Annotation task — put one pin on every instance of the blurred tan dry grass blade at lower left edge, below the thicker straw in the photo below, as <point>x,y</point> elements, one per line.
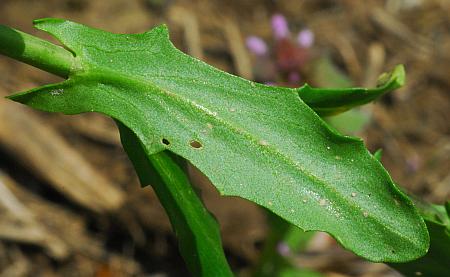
<point>36,221</point>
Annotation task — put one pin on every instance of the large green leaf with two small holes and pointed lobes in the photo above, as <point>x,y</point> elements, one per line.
<point>258,142</point>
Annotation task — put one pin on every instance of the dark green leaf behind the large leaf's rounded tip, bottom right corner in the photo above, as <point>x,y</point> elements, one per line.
<point>436,262</point>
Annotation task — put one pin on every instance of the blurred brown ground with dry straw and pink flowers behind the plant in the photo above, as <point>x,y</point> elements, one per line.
<point>70,202</point>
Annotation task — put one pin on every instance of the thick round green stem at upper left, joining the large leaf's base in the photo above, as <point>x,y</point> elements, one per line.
<point>35,51</point>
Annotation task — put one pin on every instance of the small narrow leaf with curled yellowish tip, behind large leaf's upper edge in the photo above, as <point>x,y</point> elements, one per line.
<point>333,101</point>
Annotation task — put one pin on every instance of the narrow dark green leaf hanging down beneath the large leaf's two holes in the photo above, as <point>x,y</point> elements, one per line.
<point>197,231</point>
